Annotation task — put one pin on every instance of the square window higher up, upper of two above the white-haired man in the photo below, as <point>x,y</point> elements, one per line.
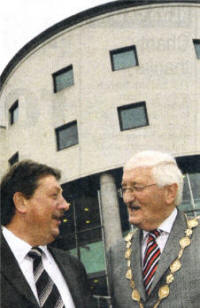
<point>123,58</point>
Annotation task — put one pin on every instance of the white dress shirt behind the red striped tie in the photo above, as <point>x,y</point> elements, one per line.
<point>165,227</point>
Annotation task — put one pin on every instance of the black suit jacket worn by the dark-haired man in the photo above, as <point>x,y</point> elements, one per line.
<point>16,293</point>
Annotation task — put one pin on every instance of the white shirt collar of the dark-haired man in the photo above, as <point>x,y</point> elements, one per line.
<point>19,247</point>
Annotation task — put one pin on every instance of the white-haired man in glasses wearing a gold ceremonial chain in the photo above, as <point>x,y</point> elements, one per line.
<point>158,263</point>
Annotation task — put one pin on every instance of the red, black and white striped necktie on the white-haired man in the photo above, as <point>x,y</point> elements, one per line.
<point>151,259</point>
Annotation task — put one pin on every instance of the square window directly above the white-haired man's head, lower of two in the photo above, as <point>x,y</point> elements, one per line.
<point>133,116</point>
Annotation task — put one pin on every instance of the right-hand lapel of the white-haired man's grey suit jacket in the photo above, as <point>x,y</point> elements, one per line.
<point>171,249</point>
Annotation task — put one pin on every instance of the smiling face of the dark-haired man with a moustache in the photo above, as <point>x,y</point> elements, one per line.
<point>43,212</point>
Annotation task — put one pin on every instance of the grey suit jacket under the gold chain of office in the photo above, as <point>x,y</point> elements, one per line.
<point>184,290</point>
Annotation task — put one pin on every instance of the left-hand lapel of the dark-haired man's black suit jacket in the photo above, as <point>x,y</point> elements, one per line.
<point>12,272</point>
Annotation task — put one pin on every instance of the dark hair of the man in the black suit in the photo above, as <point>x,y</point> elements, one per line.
<point>21,177</point>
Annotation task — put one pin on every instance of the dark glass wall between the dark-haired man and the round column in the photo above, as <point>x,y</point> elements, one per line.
<point>81,233</point>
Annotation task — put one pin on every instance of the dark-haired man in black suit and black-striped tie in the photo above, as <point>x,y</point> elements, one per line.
<point>33,274</point>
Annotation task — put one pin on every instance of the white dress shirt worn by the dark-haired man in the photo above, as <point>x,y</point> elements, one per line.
<point>20,250</point>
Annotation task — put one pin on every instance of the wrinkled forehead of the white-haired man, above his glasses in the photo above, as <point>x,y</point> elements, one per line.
<point>137,175</point>
